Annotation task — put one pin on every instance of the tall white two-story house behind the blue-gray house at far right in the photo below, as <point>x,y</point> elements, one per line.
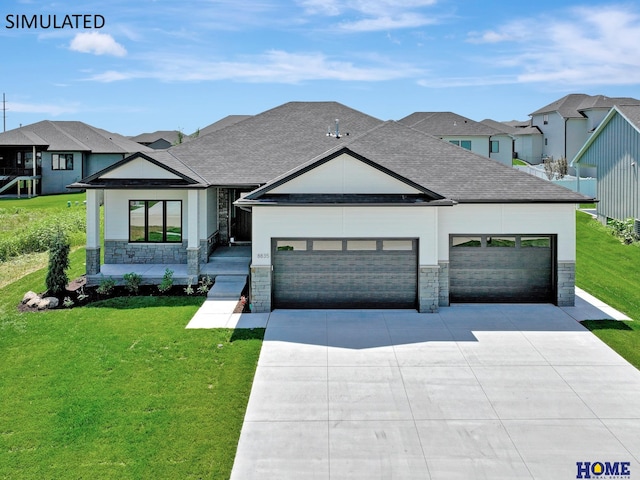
<point>567,123</point>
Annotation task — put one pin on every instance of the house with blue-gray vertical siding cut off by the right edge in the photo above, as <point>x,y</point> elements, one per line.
<point>614,151</point>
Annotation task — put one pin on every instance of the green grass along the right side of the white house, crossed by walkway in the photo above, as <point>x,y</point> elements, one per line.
<point>608,270</point>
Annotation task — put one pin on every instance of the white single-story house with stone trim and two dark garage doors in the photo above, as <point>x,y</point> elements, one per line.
<point>370,214</point>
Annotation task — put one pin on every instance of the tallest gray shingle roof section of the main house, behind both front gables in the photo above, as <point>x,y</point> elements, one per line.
<point>255,150</point>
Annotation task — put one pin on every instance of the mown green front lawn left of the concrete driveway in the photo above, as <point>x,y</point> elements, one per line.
<point>119,389</point>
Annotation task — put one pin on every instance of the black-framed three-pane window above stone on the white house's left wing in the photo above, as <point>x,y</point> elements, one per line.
<point>157,221</point>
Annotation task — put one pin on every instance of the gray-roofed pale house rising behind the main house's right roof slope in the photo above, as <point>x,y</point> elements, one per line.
<point>464,132</point>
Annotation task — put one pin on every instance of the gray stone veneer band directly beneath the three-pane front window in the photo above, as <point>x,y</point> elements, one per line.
<point>121,251</point>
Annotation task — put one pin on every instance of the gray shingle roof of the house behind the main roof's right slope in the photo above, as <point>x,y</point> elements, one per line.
<point>447,124</point>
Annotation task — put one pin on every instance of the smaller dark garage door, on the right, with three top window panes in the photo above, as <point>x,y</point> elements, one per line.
<point>505,268</point>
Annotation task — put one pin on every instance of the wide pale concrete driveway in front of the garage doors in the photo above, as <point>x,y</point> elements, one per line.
<point>476,391</point>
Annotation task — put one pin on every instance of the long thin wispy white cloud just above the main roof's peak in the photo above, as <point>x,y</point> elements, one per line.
<point>275,66</point>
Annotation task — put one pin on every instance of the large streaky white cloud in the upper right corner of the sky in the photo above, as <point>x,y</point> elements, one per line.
<point>573,48</point>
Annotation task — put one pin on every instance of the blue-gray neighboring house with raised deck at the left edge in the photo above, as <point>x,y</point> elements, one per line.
<point>64,152</point>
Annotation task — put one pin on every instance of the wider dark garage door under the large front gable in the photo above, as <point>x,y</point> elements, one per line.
<point>345,273</point>
